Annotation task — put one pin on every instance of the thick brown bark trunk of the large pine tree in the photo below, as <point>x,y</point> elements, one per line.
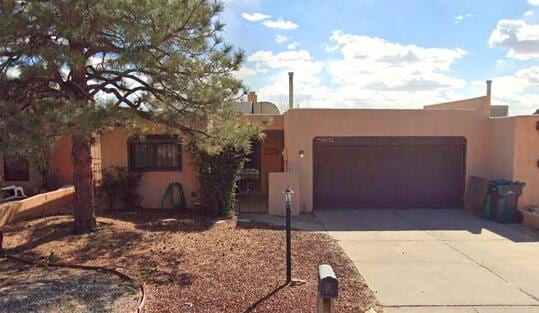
<point>83,181</point>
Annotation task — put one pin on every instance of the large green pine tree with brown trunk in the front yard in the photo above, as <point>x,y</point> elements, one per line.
<point>91,60</point>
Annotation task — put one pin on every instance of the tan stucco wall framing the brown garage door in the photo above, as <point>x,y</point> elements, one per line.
<point>303,125</point>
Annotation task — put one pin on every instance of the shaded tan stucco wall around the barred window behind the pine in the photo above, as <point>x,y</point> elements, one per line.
<point>114,150</point>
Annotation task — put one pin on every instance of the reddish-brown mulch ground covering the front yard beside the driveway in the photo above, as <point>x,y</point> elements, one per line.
<point>202,267</point>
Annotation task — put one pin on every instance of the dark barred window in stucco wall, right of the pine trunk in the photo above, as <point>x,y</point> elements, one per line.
<point>155,153</point>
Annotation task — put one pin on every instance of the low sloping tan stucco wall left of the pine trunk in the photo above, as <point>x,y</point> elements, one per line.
<point>45,204</point>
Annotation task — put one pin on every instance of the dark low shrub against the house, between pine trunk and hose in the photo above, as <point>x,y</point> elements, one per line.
<point>120,188</point>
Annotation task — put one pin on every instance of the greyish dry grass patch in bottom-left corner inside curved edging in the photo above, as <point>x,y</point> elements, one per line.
<point>41,289</point>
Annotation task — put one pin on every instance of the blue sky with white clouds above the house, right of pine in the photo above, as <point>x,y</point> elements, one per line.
<point>388,53</point>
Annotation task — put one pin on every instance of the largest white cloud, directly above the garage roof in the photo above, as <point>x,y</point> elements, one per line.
<point>374,72</point>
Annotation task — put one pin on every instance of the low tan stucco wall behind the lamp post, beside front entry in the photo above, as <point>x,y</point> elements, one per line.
<point>278,182</point>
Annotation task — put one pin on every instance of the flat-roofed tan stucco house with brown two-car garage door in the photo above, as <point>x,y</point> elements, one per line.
<point>346,158</point>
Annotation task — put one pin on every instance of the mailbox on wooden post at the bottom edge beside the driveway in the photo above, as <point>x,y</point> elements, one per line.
<point>328,289</point>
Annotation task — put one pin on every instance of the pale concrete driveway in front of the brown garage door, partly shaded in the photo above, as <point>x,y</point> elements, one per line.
<point>440,260</point>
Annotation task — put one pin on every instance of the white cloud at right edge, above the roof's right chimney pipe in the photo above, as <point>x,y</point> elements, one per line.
<point>519,36</point>
